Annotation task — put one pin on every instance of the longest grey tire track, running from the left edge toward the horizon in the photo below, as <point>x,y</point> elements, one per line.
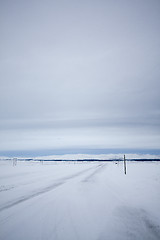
<point>44,190</point>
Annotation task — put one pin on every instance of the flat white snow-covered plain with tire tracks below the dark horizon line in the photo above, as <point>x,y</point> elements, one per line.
<point>84,201</point>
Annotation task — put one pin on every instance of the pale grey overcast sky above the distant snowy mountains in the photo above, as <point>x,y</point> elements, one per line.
<point>79,74</point>
